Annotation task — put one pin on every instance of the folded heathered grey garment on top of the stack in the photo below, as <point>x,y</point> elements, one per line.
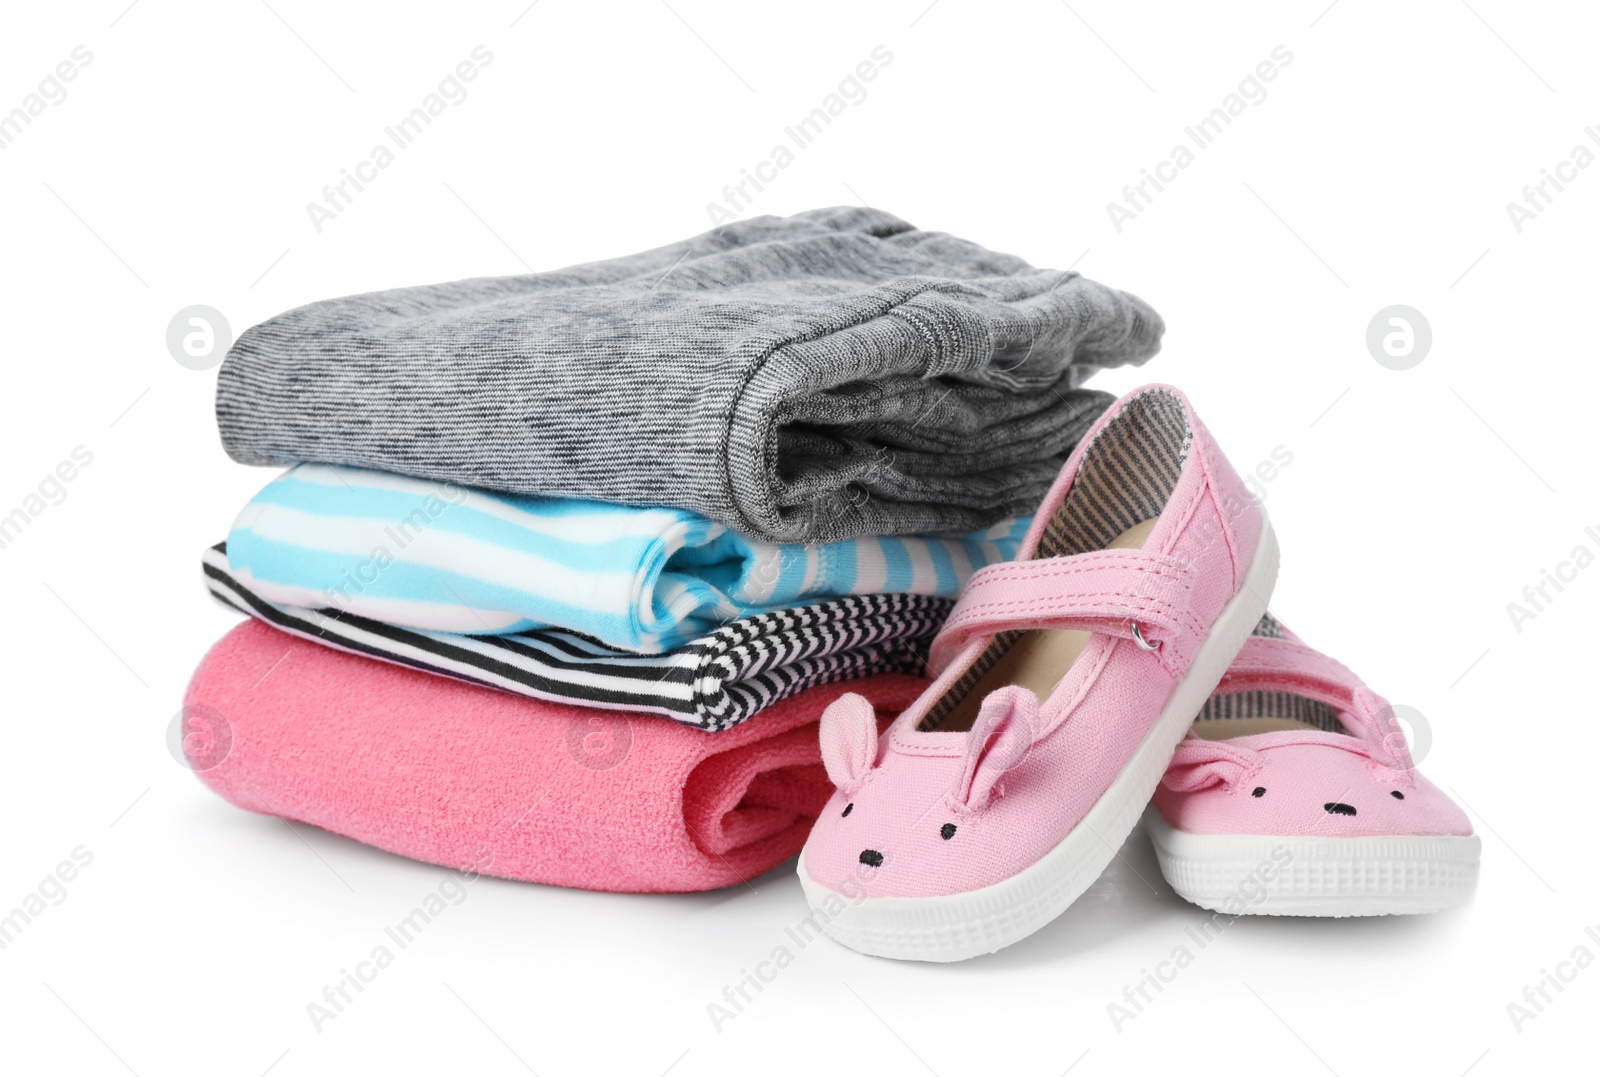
<point>807,378</point>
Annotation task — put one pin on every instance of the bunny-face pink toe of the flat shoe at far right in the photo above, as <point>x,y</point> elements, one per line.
<point>1303,783</point>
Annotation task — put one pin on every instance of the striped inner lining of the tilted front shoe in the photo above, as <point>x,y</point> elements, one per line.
<point>1126,478</point>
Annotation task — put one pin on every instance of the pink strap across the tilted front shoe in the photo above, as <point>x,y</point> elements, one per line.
<point>1105,591</point>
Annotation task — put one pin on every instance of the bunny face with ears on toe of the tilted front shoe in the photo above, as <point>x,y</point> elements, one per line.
<point>889,830</point>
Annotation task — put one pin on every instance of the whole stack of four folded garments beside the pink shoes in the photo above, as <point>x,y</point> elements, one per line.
<point>567,566</point>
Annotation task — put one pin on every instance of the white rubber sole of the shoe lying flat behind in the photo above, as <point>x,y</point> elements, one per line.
<point>1270,875</point>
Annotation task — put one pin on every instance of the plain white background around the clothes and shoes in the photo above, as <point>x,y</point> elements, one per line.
<point>1418,503</point>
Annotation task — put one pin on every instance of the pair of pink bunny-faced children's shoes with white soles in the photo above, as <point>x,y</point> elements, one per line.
<point>1066,695</point>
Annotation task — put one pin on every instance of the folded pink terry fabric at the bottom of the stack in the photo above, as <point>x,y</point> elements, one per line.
<point>550,793</point>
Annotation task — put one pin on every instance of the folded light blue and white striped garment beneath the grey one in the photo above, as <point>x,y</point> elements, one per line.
<point>452,559</point>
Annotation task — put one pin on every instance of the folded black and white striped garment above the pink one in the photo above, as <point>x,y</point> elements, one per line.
<point>714,683</point>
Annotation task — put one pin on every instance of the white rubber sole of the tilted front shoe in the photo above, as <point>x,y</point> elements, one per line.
<point>961,926</point>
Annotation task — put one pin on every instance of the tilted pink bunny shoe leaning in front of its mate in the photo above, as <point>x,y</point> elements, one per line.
<point>1063,684</point>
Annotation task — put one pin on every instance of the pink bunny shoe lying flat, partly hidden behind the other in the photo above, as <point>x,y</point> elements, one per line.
<point>1295,795</point>
